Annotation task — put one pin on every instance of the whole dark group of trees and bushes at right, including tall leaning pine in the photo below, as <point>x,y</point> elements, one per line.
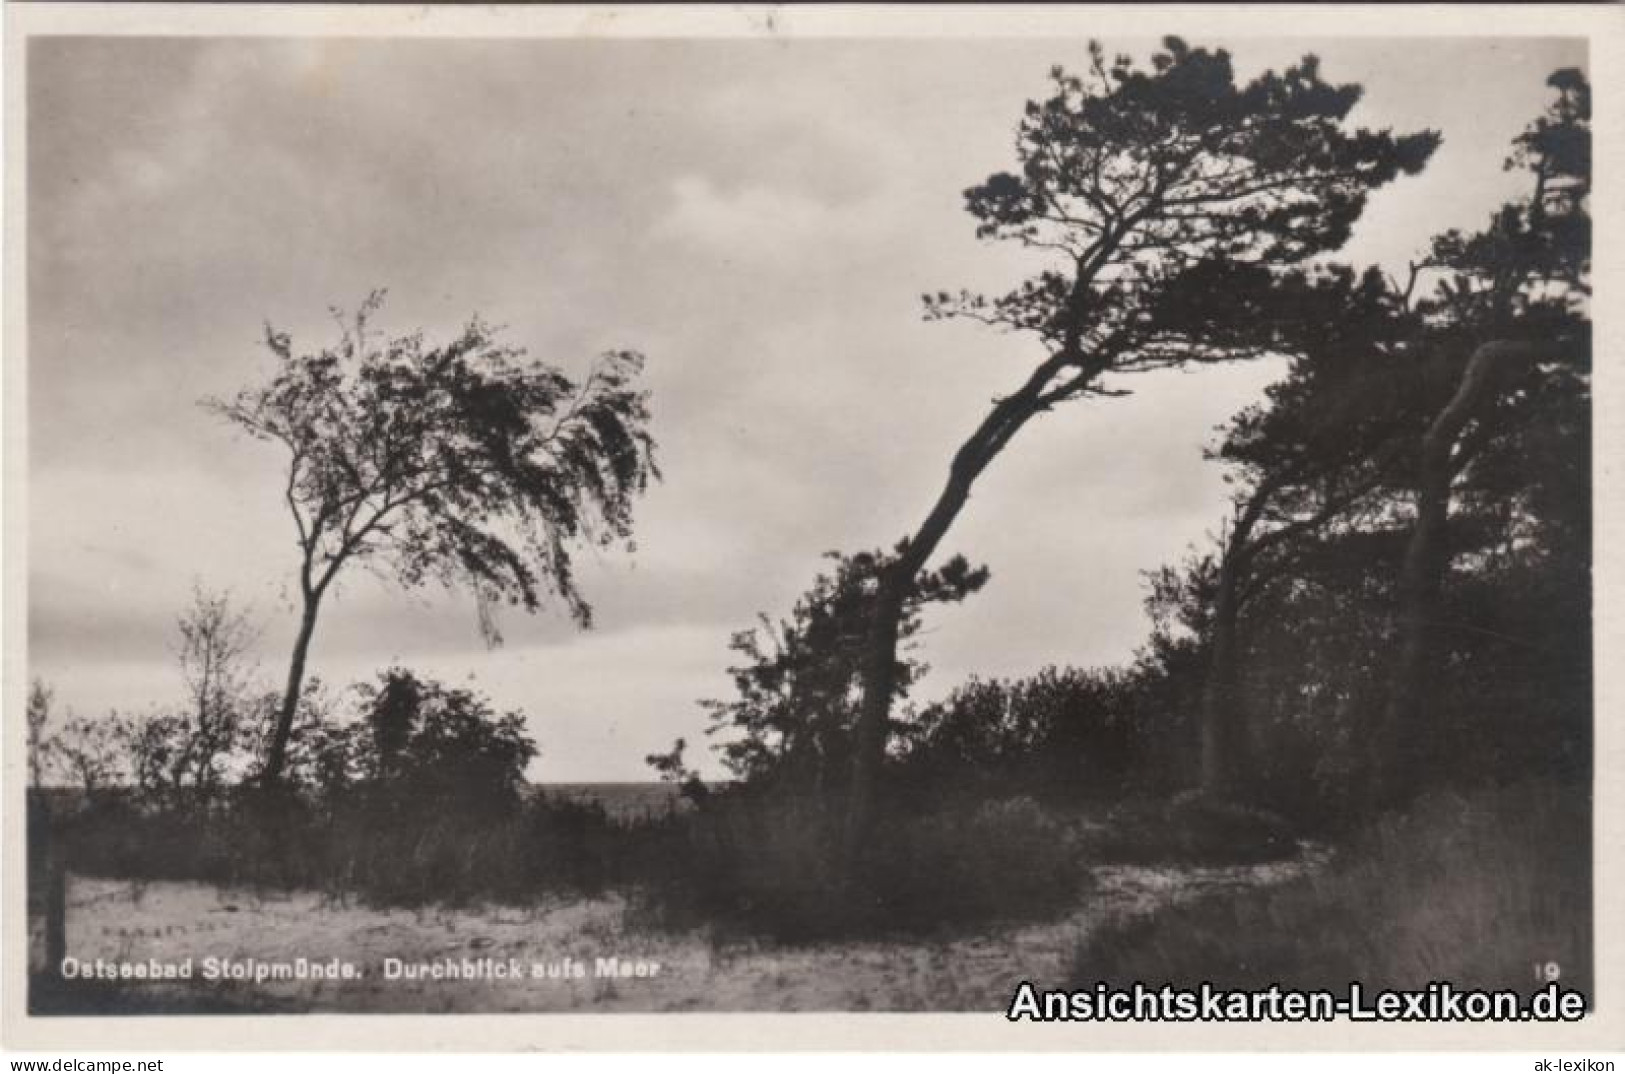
<point>1400,592</point>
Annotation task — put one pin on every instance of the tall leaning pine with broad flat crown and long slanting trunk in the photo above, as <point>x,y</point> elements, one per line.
<point>1169,201</point>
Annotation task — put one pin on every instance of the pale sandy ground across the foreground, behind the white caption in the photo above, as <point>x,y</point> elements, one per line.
<point>555,948</point>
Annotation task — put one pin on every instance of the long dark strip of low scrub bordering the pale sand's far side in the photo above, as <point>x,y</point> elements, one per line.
<point>756,864</point>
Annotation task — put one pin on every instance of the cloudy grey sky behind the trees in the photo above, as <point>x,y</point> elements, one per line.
<point>758,217</point>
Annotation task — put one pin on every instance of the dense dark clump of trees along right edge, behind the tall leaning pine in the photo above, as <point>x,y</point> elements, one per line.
<point>1338,649</point>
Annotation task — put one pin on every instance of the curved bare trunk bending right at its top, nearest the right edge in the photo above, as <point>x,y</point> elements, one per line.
<point>1423,574</point>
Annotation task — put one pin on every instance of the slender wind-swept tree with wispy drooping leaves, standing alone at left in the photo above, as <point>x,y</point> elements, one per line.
<point>462,464</point>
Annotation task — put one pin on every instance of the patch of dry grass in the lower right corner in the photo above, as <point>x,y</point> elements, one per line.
<point>1470,890</point>
